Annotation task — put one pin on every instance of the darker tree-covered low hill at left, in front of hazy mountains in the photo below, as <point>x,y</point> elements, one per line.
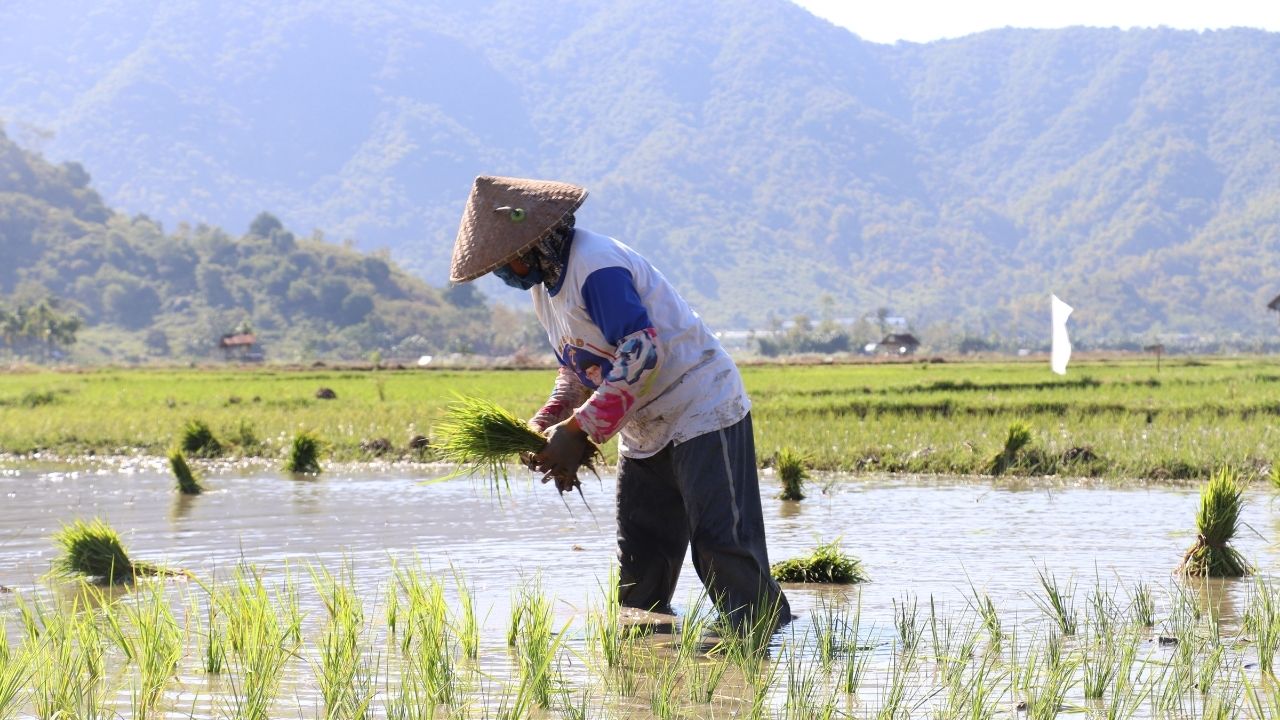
<point>143,293</point>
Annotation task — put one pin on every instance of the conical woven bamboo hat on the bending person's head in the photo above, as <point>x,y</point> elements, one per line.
<point>505,218</point>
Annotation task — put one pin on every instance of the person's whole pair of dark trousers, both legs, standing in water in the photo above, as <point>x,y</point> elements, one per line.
<point>703,491</point>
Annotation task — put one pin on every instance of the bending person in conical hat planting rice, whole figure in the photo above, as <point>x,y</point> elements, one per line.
<point>638,363</point>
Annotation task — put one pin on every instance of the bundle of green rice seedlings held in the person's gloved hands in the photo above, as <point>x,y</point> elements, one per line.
<point>482,439</point>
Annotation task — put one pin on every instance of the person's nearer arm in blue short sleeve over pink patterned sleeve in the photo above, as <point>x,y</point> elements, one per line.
<point>615,307</point>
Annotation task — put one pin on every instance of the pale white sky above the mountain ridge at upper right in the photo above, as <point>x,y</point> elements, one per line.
<point>924,21</point>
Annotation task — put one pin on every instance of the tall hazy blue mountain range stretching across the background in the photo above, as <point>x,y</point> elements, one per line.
<point>764,158</point>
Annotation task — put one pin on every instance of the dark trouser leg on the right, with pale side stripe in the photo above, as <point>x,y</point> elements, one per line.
<point>716,475</point>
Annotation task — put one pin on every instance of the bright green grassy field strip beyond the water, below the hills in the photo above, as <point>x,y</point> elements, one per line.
<point>1121,420</point>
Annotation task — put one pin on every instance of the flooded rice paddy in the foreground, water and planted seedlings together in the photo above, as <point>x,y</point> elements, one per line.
<point>431,600</point>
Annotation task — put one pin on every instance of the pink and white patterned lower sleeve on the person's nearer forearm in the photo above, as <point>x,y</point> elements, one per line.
<point>636,368</point>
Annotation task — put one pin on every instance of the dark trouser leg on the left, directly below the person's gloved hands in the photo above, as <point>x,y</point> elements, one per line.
<point>653,532</point>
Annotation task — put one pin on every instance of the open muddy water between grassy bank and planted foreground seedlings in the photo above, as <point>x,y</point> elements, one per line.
<point>916,537</point>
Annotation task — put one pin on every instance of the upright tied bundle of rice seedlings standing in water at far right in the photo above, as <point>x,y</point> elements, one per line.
<point>1217,522</point>
